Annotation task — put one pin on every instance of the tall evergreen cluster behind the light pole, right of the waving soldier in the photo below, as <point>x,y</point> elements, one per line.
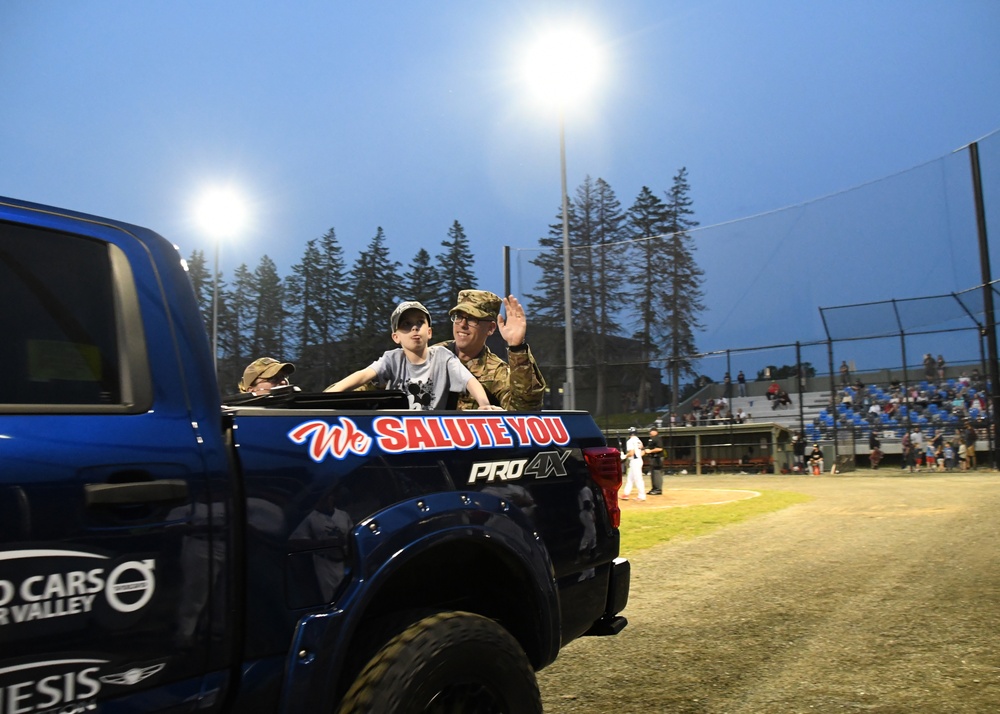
<point>636,296</point>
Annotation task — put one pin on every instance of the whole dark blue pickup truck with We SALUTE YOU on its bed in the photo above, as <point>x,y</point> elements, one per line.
<point>164,551</point>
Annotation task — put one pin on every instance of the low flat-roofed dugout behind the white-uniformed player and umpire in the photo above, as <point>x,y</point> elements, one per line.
<point>755,447</point>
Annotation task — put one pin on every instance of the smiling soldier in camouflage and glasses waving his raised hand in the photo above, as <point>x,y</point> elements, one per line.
<point>517,384</point>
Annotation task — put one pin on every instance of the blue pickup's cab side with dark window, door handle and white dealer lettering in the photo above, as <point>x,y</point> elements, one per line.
<point>109,563</point>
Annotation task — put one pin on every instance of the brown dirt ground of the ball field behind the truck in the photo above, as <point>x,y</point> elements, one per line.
<point>881,595</point>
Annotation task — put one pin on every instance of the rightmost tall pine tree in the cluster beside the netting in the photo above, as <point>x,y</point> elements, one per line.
<point>682,296</point>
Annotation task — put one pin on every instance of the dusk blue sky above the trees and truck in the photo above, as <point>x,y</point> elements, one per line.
<point>410,115</point>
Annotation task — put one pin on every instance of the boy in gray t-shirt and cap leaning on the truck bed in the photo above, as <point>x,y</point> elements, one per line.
<point>427,374</point>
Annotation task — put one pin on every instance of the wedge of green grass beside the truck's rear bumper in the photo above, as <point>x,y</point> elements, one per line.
<point>644,529</point>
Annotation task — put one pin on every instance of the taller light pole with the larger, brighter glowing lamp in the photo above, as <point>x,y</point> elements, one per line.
<point>560,68</point>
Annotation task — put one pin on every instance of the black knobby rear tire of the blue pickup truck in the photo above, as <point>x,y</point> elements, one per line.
<point>447,663</point>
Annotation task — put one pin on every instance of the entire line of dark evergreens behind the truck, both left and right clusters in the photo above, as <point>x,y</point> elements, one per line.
<point>636,300</point>
